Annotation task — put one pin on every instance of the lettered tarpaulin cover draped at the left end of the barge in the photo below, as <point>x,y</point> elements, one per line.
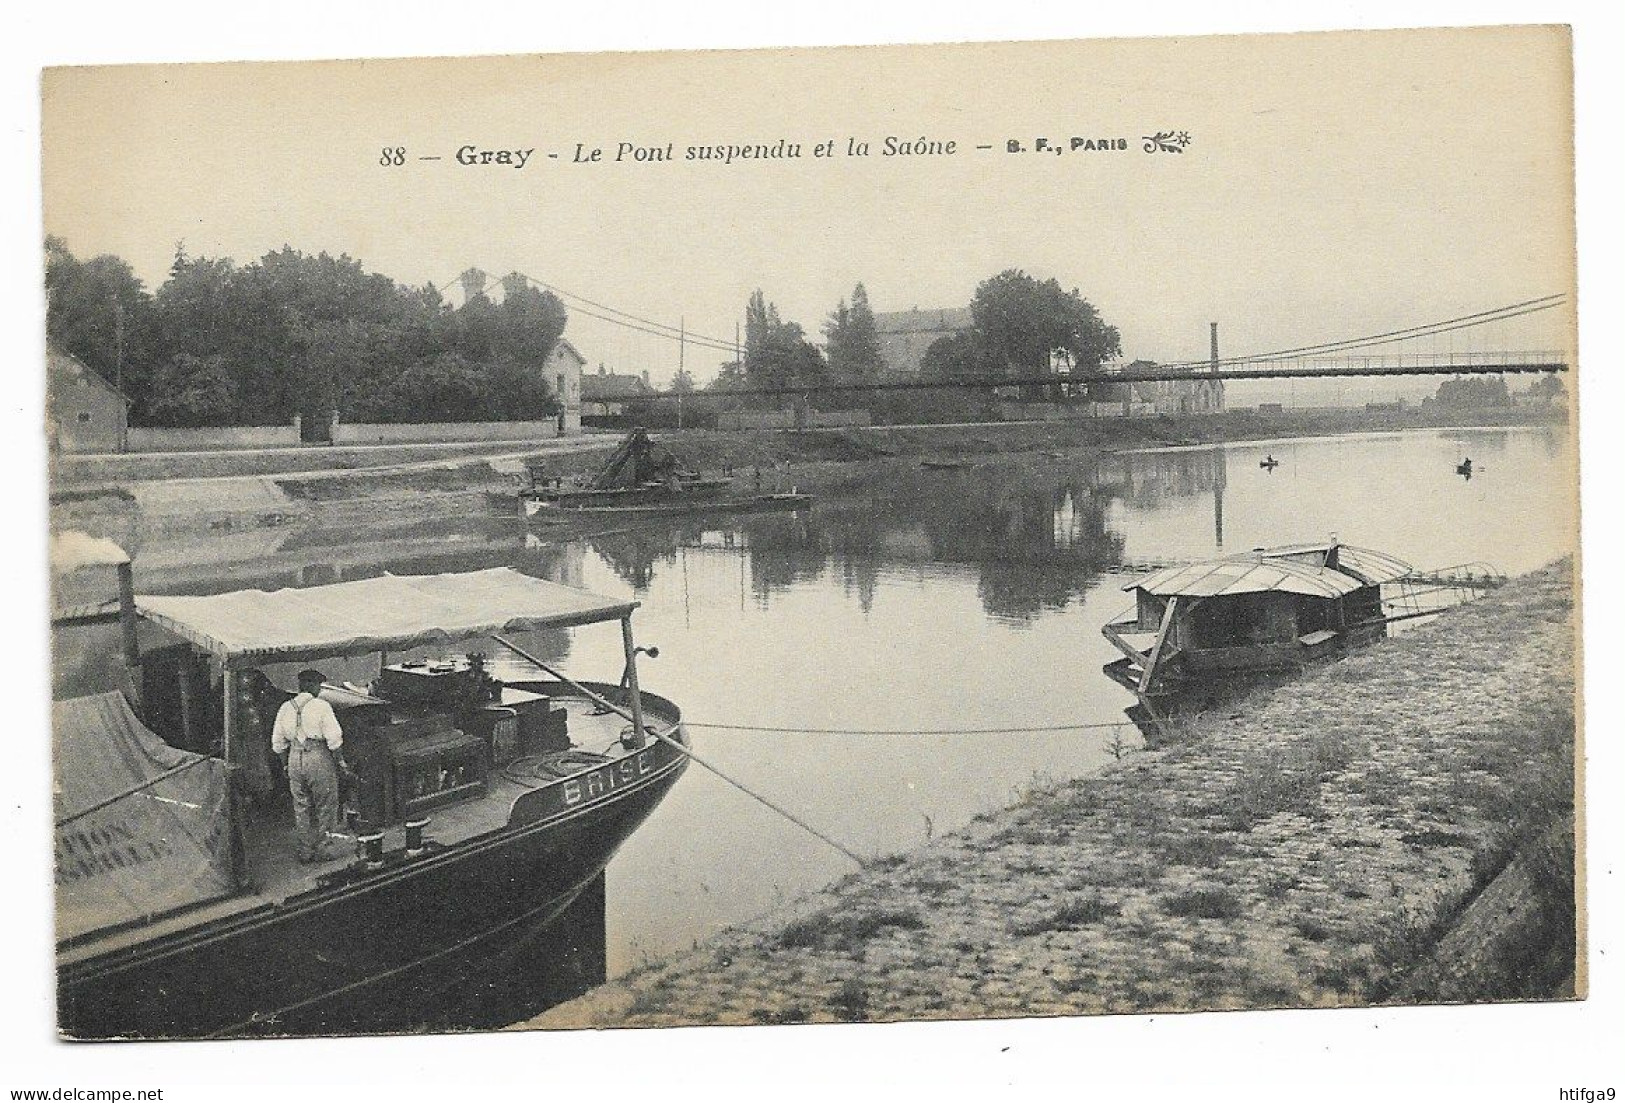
<point>165,847</point>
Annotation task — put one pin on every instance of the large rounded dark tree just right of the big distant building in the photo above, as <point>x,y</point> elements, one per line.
<point>1021,322</point>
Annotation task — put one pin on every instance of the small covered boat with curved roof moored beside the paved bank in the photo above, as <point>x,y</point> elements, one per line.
<point>1268,612</point>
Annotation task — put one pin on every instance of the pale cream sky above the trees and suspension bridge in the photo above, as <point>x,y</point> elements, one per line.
<point>1333,186</point>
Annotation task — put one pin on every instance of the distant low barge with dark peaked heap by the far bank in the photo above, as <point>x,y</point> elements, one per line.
<point>641,480</point>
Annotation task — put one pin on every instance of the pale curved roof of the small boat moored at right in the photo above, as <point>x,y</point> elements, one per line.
<point>1289,569</point>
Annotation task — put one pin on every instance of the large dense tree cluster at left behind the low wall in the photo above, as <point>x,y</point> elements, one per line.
<point>295,334</point>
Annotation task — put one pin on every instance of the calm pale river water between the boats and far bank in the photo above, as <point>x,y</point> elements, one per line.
<point>932,600</point>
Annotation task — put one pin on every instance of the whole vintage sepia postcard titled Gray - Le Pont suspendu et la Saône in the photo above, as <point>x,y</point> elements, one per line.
<point>815,537</point>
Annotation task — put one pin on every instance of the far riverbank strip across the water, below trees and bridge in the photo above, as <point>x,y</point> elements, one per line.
<point>269,490</point>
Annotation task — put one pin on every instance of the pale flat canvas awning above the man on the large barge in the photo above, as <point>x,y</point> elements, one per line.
<point>370,615</point>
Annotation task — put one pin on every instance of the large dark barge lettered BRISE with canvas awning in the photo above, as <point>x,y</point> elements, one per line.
<point>479,815</point>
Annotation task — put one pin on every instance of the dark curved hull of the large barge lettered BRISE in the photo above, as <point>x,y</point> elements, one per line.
<point>388,953</point>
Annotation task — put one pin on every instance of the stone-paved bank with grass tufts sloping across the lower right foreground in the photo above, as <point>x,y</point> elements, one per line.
<point>1315,846</point>
